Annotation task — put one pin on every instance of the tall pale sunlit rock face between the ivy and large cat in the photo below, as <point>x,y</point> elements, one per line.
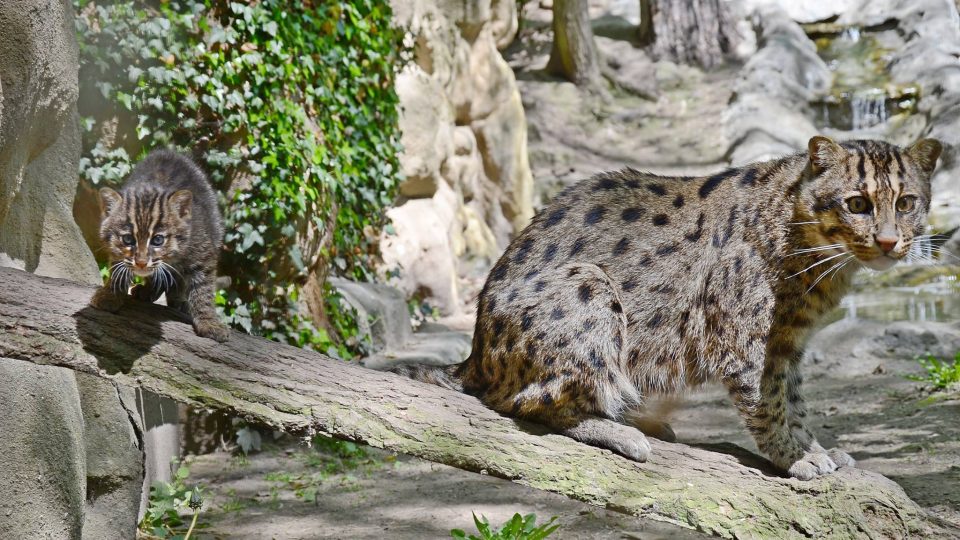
<point>465,146</point>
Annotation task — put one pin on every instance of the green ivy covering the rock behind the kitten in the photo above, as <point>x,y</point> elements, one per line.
<point>291,109</point>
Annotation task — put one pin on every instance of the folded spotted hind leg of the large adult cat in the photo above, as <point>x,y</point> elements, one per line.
<point>555,357</point>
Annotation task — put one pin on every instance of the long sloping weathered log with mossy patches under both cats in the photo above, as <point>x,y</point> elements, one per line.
<point>728,492</point>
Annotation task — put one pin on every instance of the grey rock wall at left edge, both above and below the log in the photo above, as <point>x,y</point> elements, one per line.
<point>71,459</point>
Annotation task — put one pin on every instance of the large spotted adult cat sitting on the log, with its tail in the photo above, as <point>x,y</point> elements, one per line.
<point>630,285</point>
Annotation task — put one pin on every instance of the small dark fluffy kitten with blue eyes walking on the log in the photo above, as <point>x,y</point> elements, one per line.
<point>164,226</point>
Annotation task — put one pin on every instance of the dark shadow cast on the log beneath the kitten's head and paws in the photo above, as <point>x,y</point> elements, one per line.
<point>137,323</point>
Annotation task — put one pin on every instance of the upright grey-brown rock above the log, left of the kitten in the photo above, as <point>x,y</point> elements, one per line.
<point>40,142</point>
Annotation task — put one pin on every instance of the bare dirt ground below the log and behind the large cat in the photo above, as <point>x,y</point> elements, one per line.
<point>859,397</point>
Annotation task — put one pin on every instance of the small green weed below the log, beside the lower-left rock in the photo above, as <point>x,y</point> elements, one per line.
<point>168,500</point>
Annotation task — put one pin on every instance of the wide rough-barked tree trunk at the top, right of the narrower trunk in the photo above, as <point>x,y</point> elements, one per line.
<point>698,32</point>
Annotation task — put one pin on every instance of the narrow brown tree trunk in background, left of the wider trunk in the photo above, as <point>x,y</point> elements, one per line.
<point>574,55</point>
